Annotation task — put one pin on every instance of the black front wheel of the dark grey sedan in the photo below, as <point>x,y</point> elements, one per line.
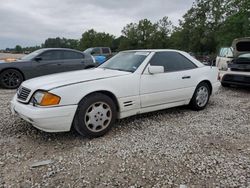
<point>11,79</point>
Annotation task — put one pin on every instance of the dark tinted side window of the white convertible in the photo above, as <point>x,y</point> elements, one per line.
<point>172,61</point>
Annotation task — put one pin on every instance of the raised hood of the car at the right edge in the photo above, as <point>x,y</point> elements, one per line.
<point>241,46</point>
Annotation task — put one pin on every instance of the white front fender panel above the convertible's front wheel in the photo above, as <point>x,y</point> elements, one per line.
<point>120,87</point>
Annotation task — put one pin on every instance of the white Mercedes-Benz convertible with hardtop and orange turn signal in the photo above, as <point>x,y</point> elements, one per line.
<point>130,83</point>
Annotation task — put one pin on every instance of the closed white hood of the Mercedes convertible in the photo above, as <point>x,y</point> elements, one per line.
<point>64,79</point>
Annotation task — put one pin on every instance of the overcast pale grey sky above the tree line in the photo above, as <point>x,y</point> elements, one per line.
<point>31,22</point>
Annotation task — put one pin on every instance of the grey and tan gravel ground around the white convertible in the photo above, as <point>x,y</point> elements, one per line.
<point>171,148</point>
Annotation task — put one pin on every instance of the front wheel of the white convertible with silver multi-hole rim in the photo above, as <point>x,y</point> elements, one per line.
<point>95,116</point>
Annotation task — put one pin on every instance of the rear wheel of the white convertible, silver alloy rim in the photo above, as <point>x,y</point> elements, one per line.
<point>200,97</point>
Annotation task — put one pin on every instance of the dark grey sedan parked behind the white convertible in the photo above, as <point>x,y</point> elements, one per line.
<point>42,62</point>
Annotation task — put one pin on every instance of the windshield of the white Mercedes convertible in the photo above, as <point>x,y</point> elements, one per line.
<point>125,61</point>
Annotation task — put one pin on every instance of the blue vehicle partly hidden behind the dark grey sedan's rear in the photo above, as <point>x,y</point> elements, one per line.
<point>101,54</point>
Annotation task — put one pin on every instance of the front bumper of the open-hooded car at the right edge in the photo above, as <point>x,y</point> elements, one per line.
<point>236,78</point>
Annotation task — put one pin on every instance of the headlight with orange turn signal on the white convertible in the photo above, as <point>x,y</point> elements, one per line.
<point>44,98</point>
